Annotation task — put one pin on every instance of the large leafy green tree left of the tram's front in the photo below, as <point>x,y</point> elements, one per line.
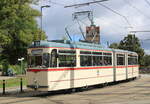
<point>18,28</point>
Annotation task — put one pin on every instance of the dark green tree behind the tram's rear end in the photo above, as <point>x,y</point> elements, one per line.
<point>132,43</point>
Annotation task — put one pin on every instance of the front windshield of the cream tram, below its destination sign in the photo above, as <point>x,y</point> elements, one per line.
<point>39,60</point>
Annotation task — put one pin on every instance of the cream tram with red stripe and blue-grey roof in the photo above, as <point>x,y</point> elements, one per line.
<point>58,65</point>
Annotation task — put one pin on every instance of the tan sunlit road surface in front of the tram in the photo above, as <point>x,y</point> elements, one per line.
<point>133,92</point>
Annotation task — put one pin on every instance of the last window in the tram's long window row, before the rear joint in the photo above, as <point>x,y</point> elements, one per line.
<point>107,59</point>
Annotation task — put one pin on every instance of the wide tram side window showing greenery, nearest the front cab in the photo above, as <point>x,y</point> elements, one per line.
<point>67,58</point>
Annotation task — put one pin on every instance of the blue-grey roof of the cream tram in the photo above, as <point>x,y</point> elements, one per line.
<point>70,44</point>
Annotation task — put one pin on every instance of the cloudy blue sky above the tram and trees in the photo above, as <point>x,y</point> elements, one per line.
<point>113,27</point>
